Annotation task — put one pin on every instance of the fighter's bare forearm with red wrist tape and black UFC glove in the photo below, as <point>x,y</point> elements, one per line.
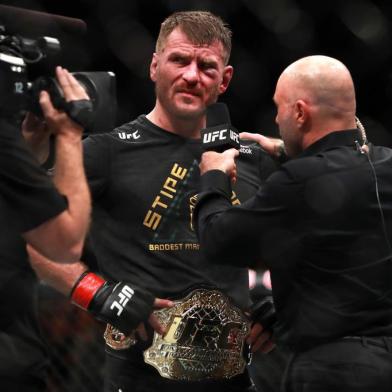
<point>121,304</point>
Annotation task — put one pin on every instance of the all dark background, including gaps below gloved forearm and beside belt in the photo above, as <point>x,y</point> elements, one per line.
<point>267,37</point>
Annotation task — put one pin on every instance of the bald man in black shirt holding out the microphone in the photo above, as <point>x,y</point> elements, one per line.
<point>321,224</point>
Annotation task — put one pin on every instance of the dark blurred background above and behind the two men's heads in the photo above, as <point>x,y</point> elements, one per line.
<point>267,36</point>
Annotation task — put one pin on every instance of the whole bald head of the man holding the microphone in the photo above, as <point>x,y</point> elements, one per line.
<point>314,97</point>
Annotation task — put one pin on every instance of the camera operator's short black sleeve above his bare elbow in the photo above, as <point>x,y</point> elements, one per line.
<point>26,190</point>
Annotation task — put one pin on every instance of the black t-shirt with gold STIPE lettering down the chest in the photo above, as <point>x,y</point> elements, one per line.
<point>144,182</point>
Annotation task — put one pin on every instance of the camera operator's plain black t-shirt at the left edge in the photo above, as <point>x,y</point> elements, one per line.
<point>27,199</point>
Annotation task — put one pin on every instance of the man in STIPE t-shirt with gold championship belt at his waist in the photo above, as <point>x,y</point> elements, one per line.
<point>144,177</point>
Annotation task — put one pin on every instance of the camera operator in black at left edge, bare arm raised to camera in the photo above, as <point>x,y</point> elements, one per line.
<point>54,221</point>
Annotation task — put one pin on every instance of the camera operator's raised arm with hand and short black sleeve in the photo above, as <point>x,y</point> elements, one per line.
<point>43,216</point>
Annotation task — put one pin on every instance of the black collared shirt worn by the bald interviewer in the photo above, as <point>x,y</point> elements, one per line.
<point>322,225</point>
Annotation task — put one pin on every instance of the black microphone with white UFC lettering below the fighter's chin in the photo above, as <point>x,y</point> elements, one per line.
<point>219,135</point>
